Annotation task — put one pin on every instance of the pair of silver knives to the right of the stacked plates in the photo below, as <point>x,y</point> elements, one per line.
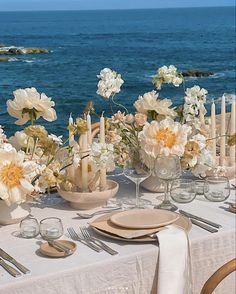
<point>201,222</point>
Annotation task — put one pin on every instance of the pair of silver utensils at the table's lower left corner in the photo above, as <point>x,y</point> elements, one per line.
<point>11,270</point>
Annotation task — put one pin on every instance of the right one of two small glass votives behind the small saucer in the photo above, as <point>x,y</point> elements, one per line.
<point>51,228</point>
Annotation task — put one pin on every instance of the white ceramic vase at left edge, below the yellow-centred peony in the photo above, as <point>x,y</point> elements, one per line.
<point>14,213</point>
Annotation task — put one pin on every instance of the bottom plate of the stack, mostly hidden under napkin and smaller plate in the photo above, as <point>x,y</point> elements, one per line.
<point>182,222</point>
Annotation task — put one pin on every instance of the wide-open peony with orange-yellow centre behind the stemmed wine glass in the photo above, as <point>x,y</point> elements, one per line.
<point>166,137</point>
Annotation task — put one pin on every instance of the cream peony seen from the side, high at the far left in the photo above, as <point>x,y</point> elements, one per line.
<point>28,104</point>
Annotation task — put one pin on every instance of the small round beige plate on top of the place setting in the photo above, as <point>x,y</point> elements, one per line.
<point>143,218</point>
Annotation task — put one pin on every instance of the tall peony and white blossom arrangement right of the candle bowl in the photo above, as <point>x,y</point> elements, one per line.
<point>158,128</point>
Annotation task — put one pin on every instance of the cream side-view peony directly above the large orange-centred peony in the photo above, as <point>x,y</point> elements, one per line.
<point>150,102</point>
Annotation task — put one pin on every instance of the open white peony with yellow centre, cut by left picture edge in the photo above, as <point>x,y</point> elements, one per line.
<point>15,176</point>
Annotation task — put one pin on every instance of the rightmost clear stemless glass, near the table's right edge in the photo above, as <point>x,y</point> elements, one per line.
<point>216,189</point>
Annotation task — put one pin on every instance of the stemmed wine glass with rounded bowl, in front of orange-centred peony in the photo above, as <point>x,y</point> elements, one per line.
<point>167,168</point>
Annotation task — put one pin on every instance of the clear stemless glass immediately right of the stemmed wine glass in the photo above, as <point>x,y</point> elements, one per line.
<point>183,190</point>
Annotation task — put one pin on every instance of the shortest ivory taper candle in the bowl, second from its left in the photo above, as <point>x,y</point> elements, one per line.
<point>84,161</point>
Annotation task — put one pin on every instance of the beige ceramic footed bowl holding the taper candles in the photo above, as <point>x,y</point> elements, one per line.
<point>89,200</point>
